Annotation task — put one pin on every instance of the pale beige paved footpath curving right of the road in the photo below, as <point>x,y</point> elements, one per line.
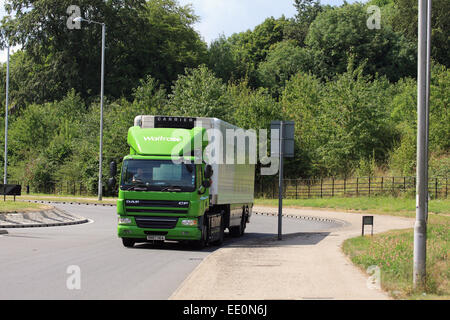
<point>301,266</point>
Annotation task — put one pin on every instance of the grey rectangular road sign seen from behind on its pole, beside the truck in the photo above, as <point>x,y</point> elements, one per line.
<point>283,147</point>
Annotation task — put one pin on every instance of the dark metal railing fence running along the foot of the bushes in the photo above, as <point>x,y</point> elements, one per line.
<point>438,187</point>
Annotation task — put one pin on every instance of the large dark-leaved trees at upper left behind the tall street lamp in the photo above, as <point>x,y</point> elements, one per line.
<point>143,38</point>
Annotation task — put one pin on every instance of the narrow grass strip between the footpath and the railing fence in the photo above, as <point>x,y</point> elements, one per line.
<point>378,205</point>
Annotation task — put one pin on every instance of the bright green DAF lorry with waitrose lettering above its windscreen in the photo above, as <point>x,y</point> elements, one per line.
<point>170,191</point>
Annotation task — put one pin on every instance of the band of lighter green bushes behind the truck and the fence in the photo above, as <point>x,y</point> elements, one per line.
<point>350,125</point>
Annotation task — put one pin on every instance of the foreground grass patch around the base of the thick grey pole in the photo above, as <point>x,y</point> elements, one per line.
<point>392,252</point>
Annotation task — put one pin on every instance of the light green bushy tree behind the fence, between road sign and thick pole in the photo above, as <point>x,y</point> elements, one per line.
<point>355,121</point>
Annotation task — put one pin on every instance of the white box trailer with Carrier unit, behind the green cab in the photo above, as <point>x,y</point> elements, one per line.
<point>233,180</point>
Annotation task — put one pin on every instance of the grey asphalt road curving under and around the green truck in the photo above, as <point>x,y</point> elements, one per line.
<point>35,263</point>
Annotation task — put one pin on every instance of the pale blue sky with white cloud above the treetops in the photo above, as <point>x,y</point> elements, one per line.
<point>226,16</point>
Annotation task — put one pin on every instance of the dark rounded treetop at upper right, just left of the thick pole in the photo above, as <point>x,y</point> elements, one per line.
<point>342,34</point>
